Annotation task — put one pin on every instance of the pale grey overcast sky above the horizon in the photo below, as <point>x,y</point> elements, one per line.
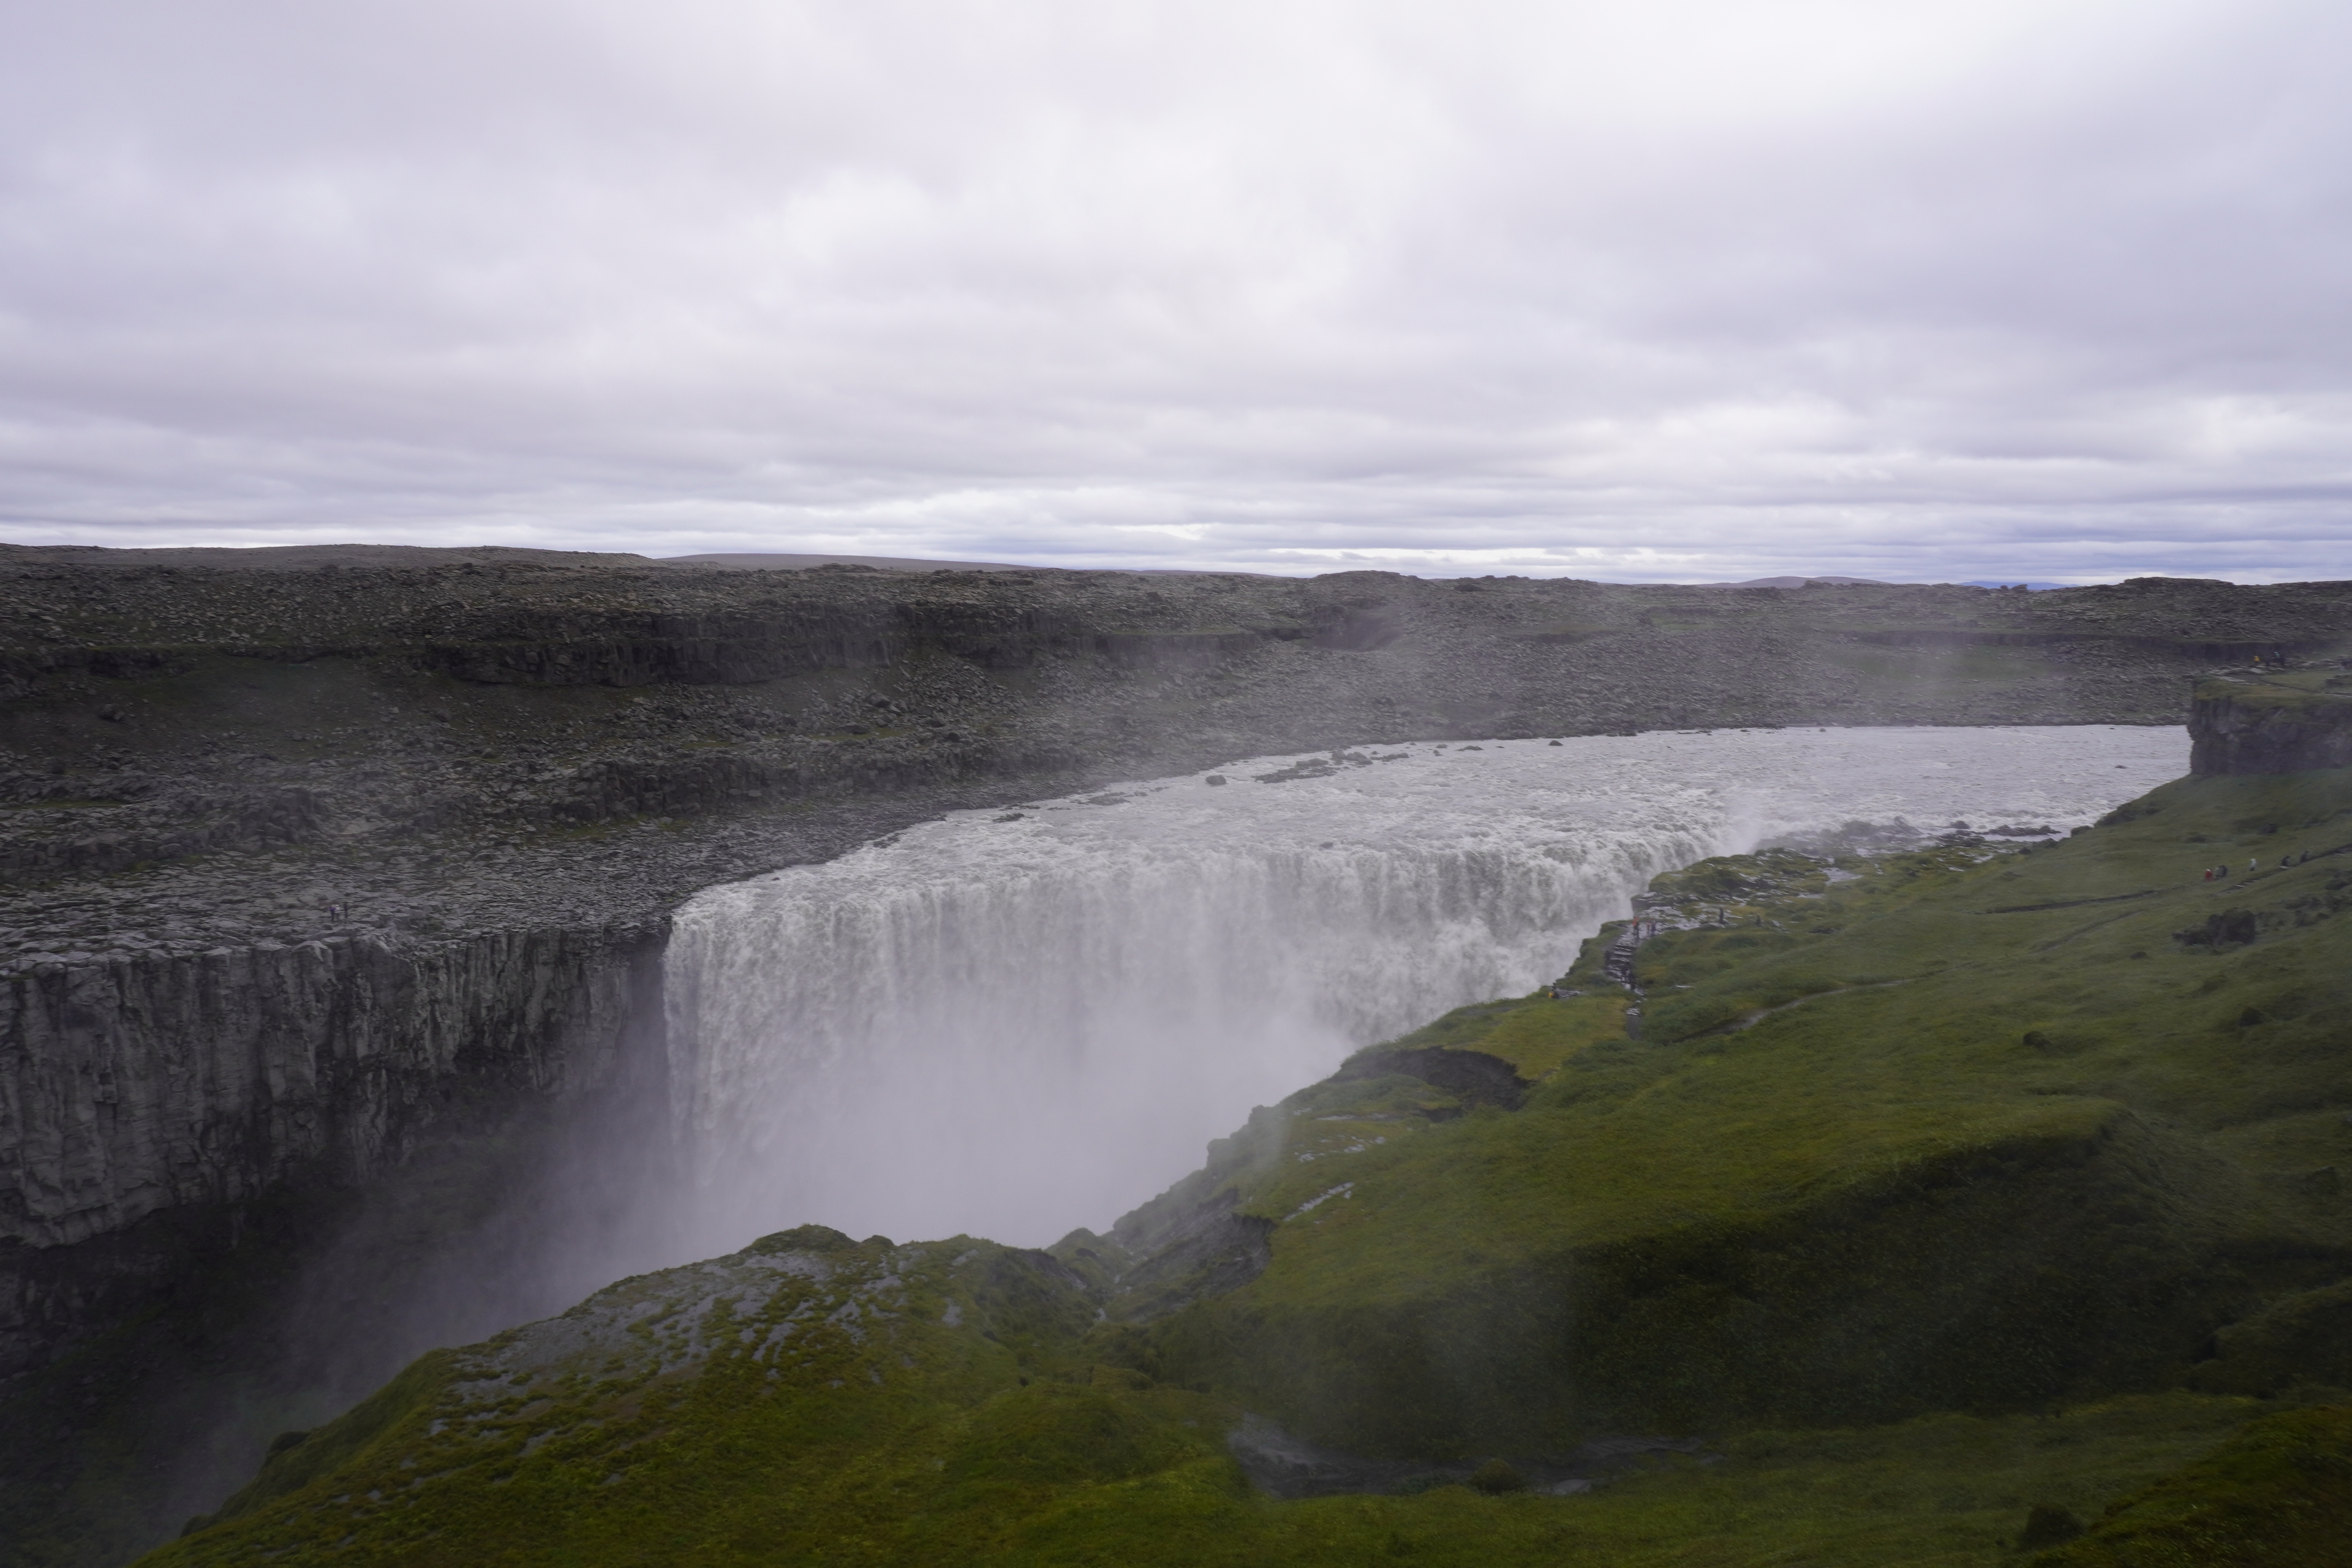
<point>1645,290</point>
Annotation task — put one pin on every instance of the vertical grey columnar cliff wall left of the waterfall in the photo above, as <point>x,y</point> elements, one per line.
<point>154,1083</point>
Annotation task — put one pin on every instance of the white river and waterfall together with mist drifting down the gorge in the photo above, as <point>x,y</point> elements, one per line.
<point>1017,1024</point>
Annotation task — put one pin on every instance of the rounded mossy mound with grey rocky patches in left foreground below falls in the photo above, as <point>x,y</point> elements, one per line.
<point>777,1402</point>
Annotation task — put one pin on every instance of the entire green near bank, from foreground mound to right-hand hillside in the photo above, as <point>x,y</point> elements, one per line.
<point>1956,1202</point>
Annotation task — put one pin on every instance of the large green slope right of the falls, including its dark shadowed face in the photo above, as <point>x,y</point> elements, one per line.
<point>1965,1130</point>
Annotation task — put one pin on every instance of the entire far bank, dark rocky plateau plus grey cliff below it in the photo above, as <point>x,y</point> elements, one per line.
<point>326,857</point>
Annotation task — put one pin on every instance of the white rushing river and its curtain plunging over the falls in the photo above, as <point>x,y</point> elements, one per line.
<point>1022,1024</point>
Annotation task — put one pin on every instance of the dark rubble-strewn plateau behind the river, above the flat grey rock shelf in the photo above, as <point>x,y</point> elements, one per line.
<point>166,711</point>
